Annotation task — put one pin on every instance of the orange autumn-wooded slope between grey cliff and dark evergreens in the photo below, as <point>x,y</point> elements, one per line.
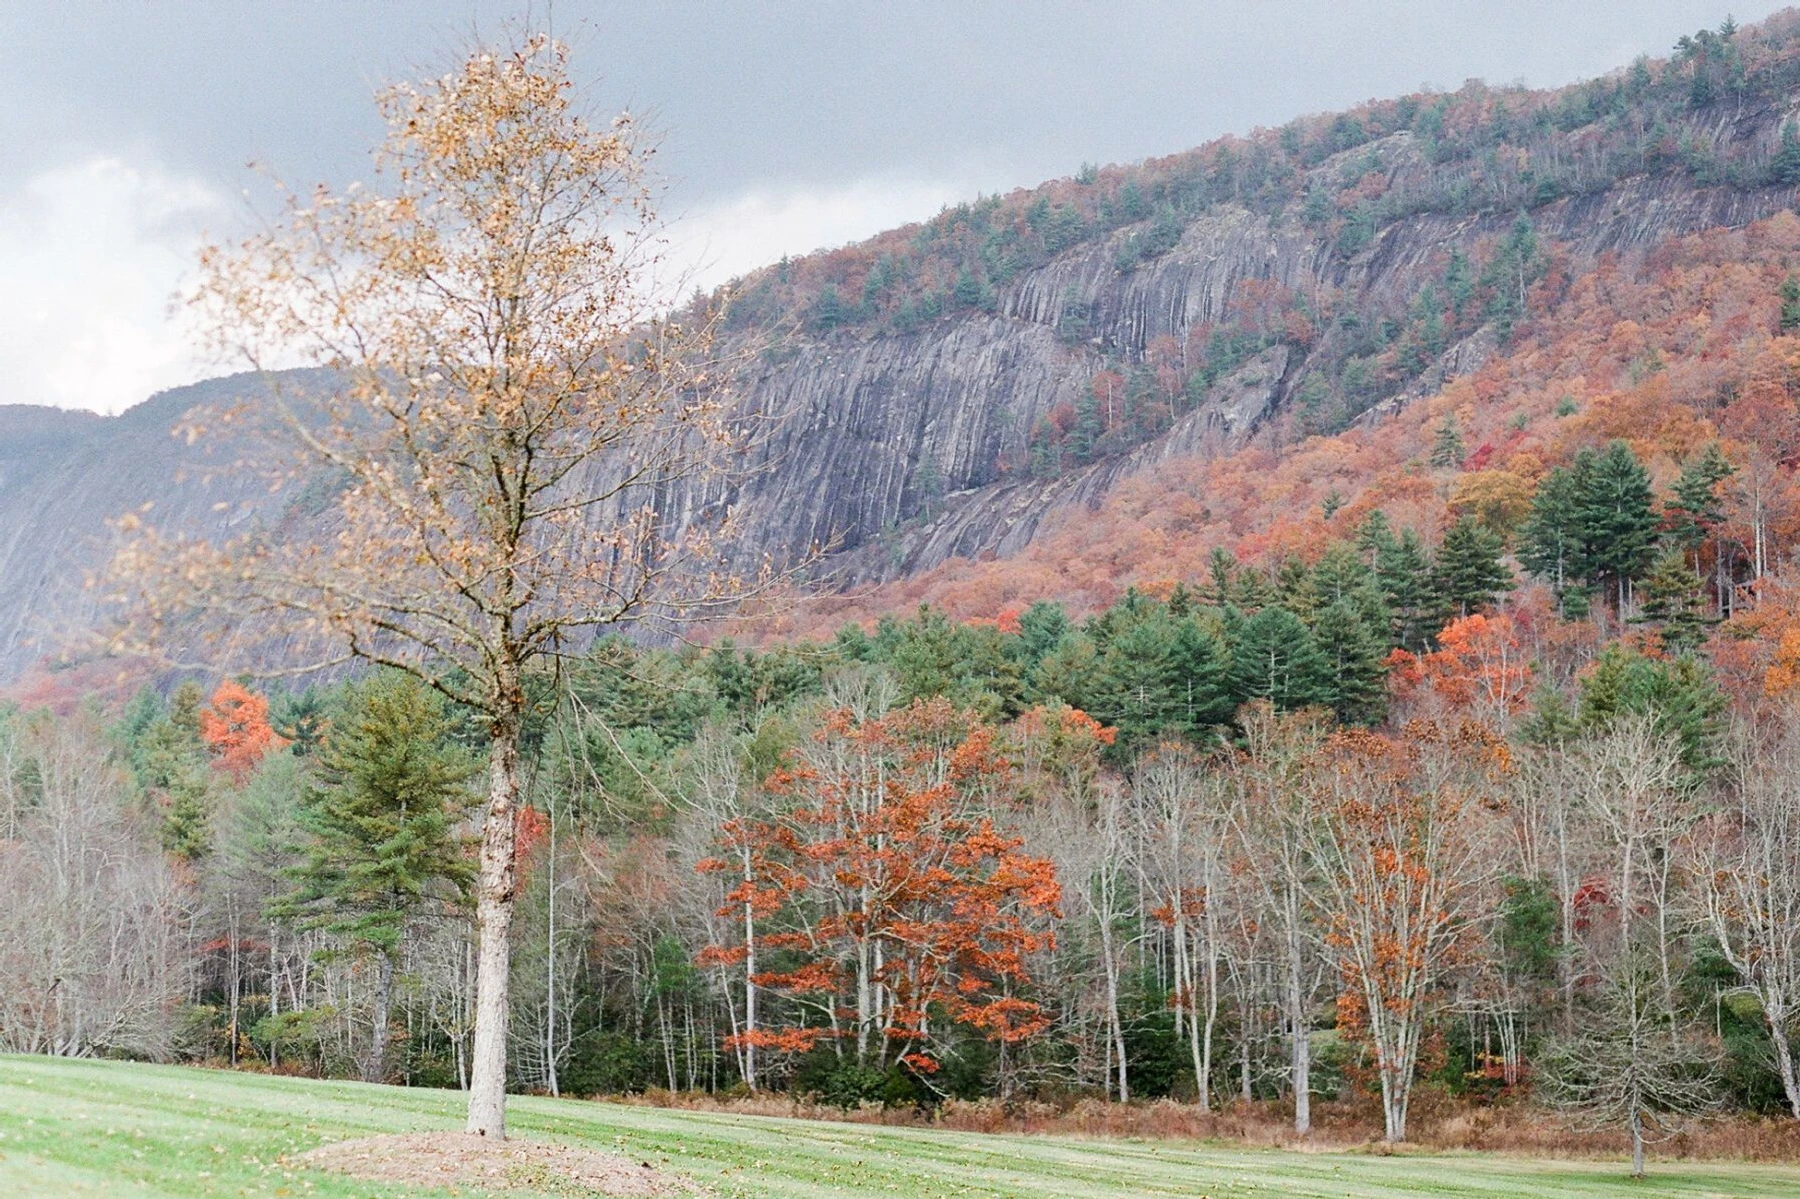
<point>1671,348</point>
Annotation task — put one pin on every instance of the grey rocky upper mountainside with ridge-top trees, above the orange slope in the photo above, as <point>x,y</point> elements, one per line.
<point>955,390</point>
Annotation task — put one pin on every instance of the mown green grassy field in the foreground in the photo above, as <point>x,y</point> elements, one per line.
<point>130,1131</point>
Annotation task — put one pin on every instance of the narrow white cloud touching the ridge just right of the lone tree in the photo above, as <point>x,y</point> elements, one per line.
<point>724,240</point>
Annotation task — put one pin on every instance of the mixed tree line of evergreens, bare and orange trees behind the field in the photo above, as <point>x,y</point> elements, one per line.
<point>1299,829</point>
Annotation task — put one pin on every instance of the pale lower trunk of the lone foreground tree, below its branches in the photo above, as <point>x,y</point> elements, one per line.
<point>494,919</point>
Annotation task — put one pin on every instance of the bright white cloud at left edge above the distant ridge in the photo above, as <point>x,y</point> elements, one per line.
<point>91,257</point>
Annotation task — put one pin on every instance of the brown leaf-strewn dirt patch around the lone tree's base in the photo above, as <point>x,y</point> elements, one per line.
<point>476,1162</point>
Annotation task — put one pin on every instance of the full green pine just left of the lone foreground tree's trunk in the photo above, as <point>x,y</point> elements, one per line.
<point>382,831</point>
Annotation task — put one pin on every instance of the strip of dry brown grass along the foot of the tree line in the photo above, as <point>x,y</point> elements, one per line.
<point>1439,1122</point>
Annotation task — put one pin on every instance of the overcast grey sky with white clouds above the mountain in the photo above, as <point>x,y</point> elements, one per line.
<point>786,127</point>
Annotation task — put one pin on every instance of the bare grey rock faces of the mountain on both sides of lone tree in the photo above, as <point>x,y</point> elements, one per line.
<point>904,449</point>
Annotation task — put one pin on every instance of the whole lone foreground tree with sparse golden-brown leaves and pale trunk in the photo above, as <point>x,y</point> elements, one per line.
<point>508,447</point>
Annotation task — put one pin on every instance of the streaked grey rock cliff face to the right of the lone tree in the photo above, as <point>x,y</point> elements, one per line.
<point>870,419</point>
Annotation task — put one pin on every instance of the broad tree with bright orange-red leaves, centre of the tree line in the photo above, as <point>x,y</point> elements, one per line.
<point>899,906</point>
